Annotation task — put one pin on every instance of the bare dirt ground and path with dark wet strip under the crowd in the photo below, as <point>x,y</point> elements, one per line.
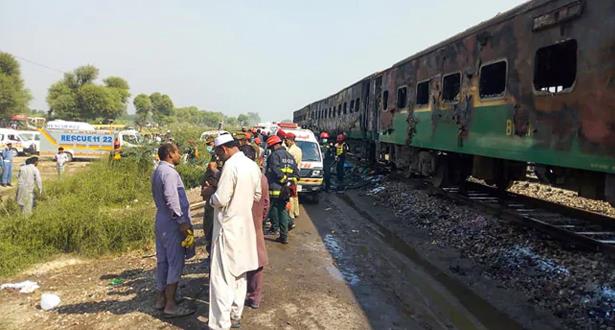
<point>340,271</point>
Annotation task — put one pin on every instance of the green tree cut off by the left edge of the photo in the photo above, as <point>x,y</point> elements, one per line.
<point>14,98</point>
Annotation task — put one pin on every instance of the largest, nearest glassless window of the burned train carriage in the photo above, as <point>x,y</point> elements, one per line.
<point>555,67</point>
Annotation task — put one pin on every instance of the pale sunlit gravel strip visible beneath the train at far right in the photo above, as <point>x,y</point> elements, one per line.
<point>562,196</point>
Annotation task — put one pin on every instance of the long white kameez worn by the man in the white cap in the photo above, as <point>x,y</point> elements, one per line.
<point>239,186</point>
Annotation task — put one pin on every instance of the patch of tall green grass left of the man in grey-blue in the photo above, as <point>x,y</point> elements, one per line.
<point>107,208</point>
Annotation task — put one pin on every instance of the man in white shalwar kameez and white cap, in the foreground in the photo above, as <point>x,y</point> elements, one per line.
<point>234,236</point>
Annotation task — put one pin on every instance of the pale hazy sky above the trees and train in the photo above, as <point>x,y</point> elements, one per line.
<point>272,56</point>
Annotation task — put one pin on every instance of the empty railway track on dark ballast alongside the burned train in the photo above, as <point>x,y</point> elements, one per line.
<point>576,228</point>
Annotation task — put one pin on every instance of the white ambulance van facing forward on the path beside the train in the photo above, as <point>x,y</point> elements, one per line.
<point>311,168</point>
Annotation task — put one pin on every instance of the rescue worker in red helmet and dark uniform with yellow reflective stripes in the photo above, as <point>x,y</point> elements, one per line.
<point>281,172</point>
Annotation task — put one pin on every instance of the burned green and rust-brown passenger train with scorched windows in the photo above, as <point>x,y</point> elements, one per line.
<point>534,85</point>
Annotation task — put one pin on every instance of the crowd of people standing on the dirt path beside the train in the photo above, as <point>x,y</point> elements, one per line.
<point>250,191</point>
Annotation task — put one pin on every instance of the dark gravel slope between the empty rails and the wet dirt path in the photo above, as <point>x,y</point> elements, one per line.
<point>577,286</point>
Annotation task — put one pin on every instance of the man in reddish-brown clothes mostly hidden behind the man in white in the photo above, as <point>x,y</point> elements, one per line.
<point>260,210</point>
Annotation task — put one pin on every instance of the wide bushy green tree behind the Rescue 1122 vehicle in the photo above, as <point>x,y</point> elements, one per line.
<point>77,97</point>
